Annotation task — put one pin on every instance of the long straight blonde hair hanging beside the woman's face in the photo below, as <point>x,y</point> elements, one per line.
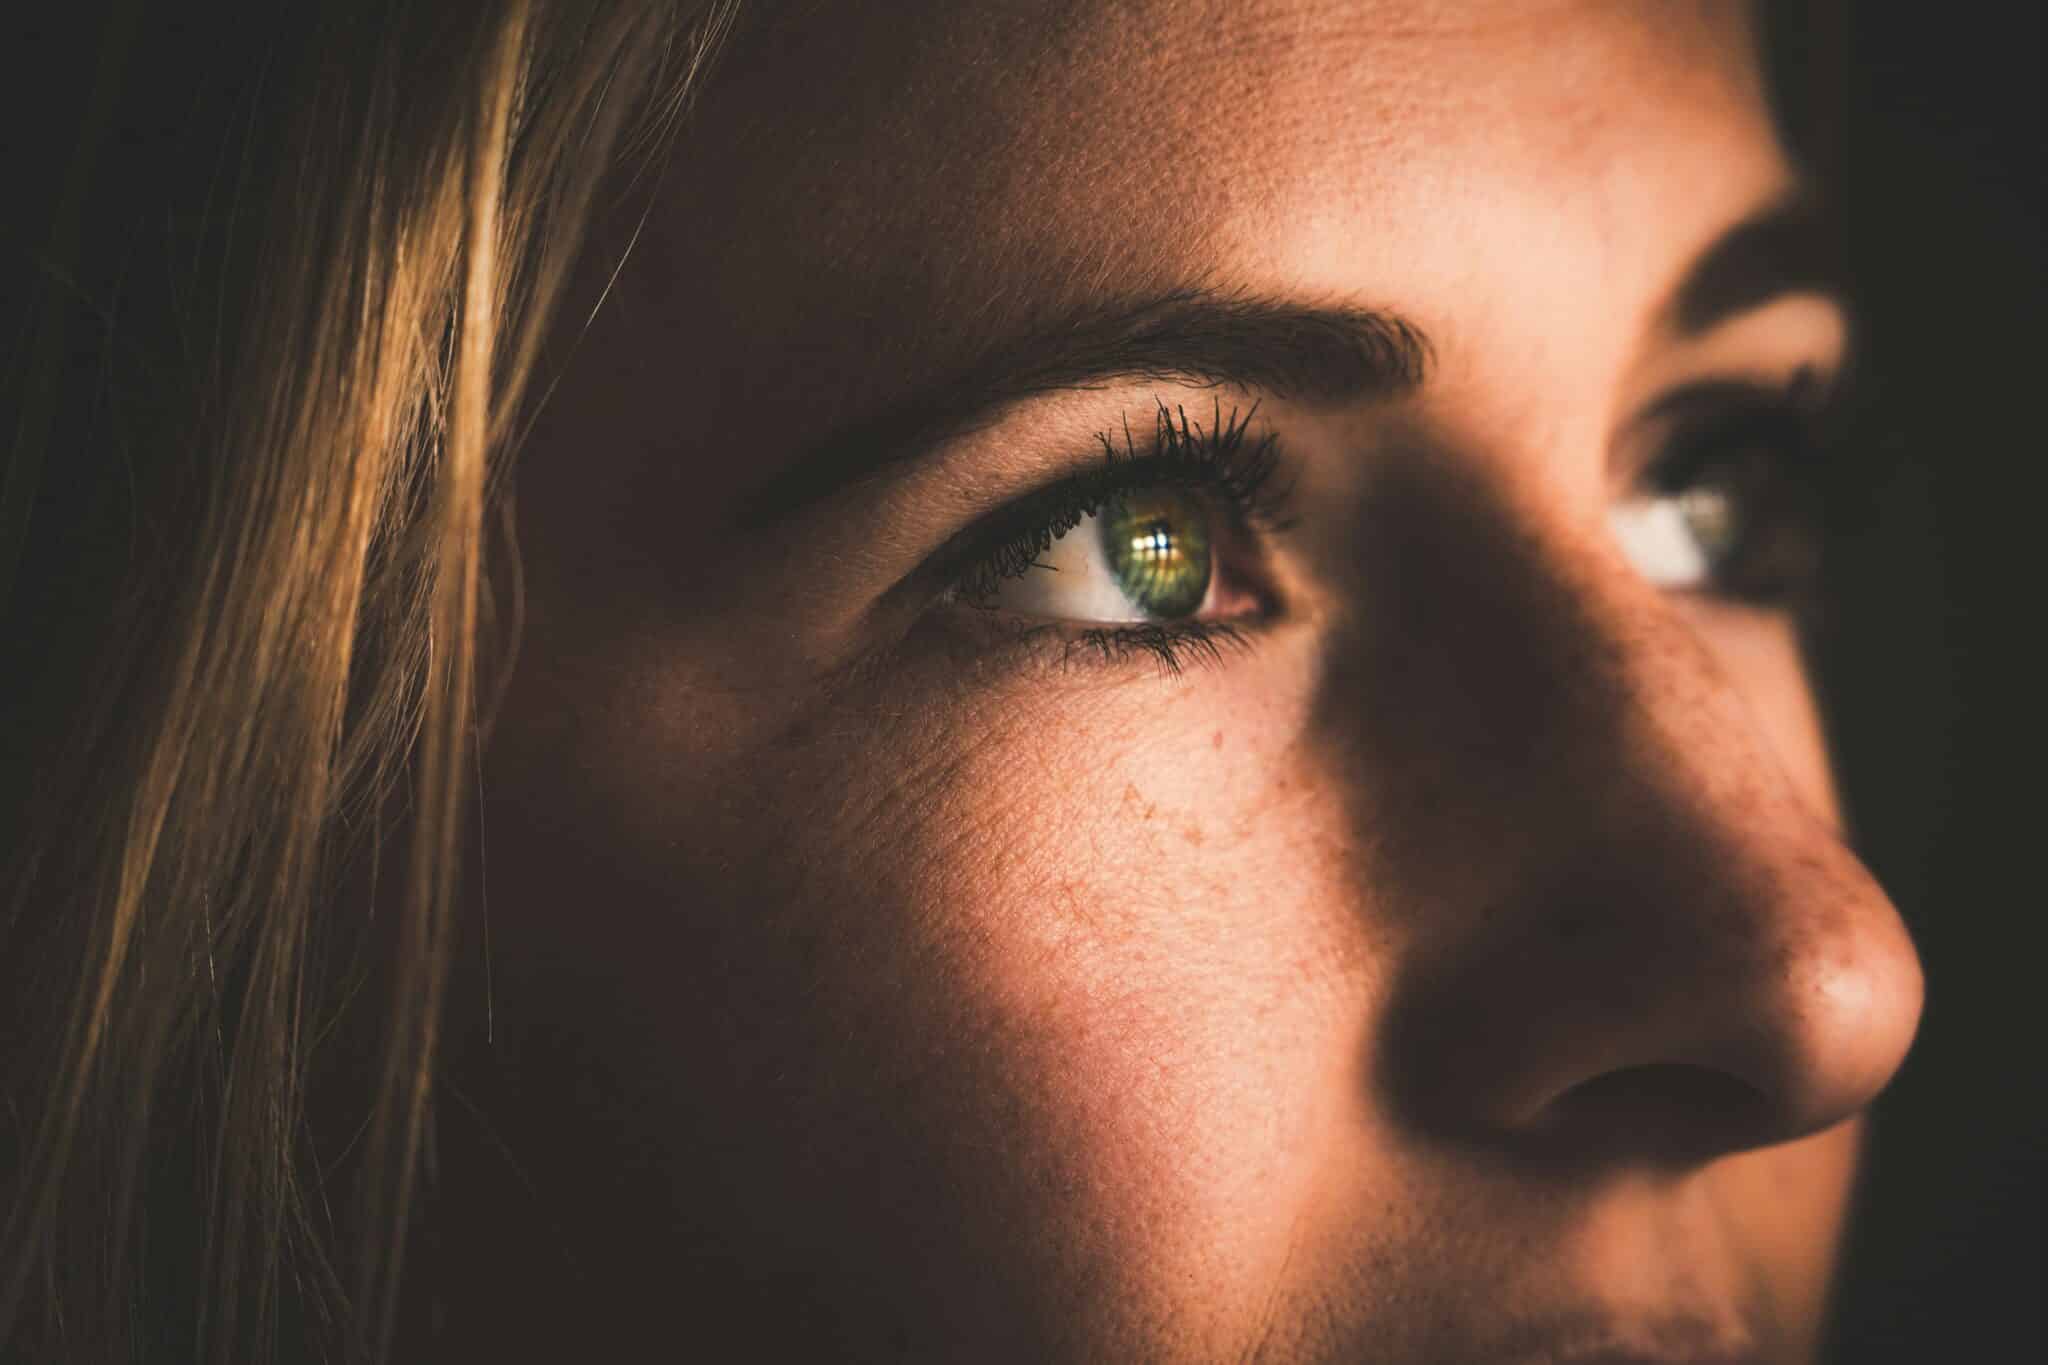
<point>255,437</point>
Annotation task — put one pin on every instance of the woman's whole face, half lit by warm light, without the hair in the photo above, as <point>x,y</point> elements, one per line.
<point>1371,887</point>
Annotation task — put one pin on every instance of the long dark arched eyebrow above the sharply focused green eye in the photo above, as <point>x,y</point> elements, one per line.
<point>1187,337</point>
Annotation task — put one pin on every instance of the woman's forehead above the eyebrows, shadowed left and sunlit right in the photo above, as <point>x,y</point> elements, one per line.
<point>871,191</point>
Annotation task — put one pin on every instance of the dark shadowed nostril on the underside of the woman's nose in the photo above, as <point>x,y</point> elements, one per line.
<point>1666,1112</point>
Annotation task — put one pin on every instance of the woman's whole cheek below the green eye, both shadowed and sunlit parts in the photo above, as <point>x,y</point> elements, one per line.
<point>1033,1002</point>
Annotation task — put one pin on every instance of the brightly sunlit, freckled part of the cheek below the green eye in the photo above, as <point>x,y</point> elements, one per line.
<point>1115,979</point>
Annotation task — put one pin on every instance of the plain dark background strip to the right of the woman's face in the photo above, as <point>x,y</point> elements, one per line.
<point>1930,136</point>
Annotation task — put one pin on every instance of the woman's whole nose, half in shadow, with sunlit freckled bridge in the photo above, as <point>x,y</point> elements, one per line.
<point>1644,938</point>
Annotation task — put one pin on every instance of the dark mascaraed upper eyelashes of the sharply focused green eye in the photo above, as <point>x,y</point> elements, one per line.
<point>1222,459</point>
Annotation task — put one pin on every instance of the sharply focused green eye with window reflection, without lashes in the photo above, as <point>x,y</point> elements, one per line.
<point>1142,558</point>
